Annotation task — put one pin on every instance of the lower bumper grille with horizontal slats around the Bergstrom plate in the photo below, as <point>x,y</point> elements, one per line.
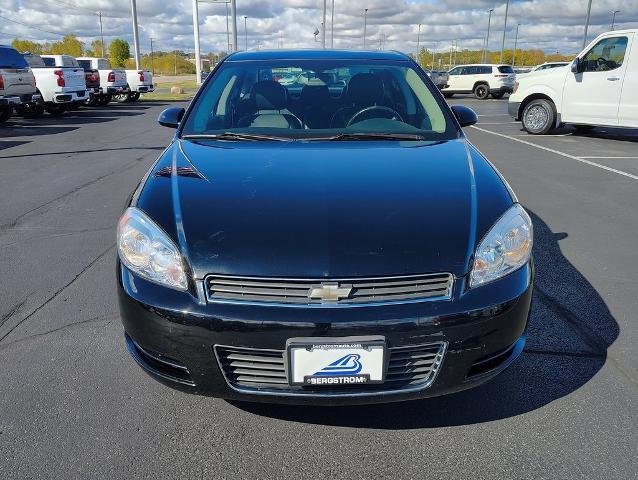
<point>250,369</point>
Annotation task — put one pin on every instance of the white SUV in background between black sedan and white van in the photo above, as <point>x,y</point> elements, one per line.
<point>481,80</point>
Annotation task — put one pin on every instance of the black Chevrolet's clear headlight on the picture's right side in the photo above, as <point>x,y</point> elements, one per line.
<point>505,248</point>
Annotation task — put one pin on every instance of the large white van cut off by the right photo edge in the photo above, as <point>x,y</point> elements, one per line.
<point>597,89</point>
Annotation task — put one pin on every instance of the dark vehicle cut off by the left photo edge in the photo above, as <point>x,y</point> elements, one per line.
<point>17,83</point>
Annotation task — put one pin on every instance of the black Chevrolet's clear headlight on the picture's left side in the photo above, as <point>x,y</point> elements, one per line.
<point>146,250</point>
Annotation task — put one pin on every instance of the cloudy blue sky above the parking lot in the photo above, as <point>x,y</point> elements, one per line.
<point>550,25</point>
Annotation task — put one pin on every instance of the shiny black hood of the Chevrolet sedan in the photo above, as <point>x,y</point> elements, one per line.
<point>322,210</point>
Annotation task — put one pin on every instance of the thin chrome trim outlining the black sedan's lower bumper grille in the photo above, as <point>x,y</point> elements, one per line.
<point>436,367</point>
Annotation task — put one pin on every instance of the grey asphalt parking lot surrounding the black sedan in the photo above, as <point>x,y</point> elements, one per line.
<point>74,405</point>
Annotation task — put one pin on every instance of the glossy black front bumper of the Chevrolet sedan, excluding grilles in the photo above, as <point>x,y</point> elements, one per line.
<point>483,330</point>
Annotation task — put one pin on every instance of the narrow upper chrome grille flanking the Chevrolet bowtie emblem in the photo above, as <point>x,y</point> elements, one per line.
<point>297,291</point>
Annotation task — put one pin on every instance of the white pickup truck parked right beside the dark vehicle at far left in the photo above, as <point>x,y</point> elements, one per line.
<point>58,86</point>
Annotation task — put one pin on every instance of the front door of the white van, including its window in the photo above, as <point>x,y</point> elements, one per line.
<point>593,95</point>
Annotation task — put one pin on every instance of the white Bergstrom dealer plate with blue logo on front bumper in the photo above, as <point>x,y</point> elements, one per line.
<point>332,362</point>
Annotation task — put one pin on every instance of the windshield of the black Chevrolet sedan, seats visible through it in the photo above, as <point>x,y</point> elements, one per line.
<point>320,98</point>
